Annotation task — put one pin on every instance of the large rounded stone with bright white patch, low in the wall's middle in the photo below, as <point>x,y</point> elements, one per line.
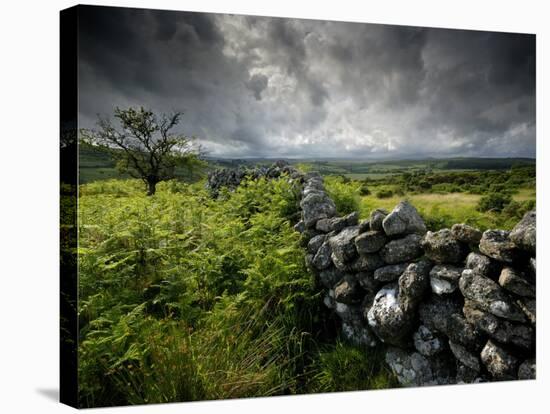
<point>389,321</point>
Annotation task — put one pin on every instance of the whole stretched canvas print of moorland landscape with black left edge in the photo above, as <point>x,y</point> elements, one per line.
<point>258,206</point>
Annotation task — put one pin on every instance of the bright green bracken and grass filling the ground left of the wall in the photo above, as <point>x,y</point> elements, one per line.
<point>183,297</point>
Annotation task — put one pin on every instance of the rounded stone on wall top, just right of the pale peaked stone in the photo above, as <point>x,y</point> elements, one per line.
<point>442,247</point>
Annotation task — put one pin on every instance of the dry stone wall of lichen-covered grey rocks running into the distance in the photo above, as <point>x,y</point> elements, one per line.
<point>452,306</point>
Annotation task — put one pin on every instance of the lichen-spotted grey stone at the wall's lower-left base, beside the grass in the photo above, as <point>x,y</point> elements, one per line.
<point>414,369</point>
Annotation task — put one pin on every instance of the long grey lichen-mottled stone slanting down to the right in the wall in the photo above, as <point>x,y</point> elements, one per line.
<point>489,296</point>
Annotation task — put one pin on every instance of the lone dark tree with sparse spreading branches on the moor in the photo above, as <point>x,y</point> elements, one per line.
<point>145,146</point>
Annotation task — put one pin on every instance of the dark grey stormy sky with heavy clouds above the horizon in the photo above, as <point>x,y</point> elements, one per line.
<point>270,87</point>
